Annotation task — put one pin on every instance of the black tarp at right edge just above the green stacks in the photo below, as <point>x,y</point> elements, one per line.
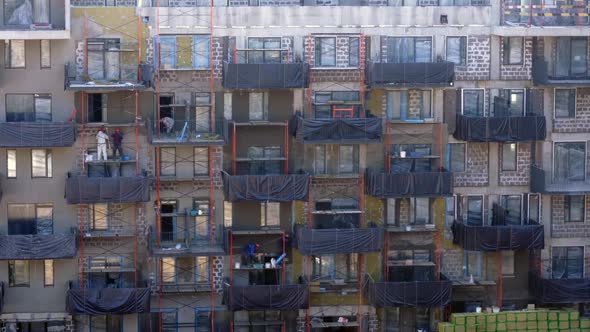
<point>559,290</point>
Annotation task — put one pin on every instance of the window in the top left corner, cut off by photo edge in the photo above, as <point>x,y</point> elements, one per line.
<point>19,12</point>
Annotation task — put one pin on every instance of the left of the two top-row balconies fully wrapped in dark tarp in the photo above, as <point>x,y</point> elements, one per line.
<point>265,69</point>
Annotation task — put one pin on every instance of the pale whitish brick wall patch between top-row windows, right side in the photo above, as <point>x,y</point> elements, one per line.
<point>478,60</point>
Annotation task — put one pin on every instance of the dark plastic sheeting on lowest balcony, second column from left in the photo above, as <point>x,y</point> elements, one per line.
<point>108,301</point>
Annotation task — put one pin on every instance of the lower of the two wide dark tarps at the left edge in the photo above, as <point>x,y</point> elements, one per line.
<point>35,246</point>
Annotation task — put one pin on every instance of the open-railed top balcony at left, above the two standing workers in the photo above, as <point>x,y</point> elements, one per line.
<point>127,78</point>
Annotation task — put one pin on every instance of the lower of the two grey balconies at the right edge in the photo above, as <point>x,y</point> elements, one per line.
<point>543,182</point>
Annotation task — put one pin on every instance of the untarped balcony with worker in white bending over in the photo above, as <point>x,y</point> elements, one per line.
<point>189,131</point>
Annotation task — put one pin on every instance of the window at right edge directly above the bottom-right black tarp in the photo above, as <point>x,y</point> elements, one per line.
<point>567,262</point>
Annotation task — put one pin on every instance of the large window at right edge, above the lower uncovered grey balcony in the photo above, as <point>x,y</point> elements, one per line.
<point>569,161</point>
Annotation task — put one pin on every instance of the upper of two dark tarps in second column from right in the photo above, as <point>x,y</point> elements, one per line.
<point>500,129</point>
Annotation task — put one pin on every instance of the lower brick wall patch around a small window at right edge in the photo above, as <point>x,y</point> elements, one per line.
<point>562,229</point>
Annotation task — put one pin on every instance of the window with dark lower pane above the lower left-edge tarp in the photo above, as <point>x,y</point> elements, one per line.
<point>30,219</point>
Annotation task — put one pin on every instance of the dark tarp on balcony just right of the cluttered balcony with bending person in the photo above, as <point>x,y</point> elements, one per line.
<point>338,241</point>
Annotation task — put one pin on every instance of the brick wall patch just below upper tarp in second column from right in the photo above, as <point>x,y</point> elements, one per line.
<point>476,170</point>
